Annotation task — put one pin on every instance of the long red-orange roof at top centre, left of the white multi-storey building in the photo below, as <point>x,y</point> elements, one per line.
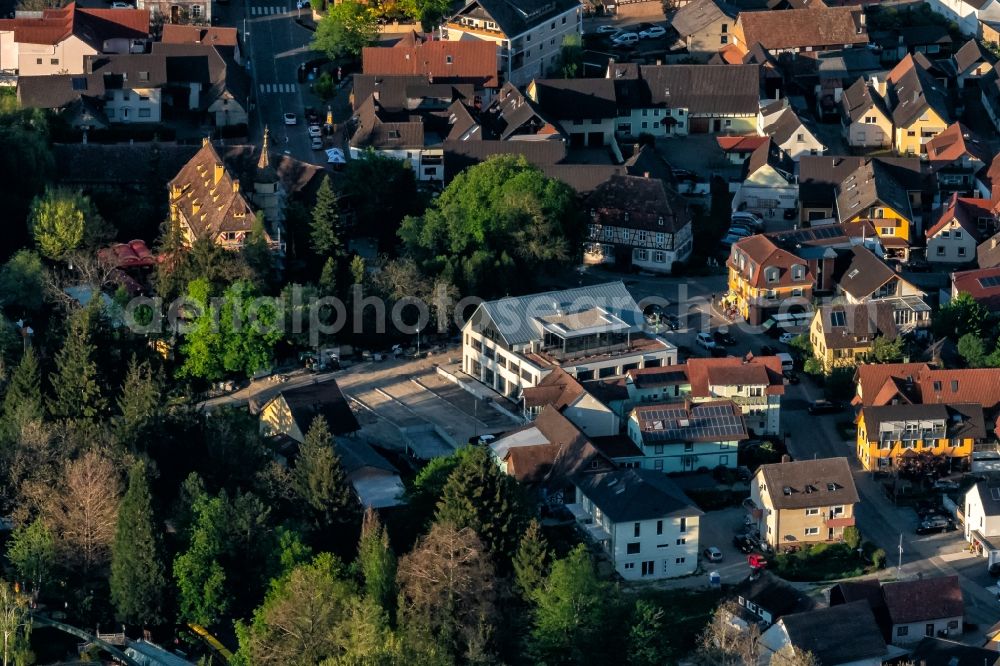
<point>472,61</point>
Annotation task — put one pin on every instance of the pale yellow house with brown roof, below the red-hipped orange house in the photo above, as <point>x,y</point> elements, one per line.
<point>842,335</point>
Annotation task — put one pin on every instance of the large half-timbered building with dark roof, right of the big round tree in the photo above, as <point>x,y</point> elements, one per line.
<point>637,221</point>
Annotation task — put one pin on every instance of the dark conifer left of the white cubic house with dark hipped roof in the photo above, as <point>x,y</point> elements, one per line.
<point>481,496</point>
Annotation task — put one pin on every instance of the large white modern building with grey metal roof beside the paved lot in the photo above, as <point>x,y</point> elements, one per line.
<point>590,332</point>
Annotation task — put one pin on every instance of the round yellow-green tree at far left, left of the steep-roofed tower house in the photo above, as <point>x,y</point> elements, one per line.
<point>64,220</point>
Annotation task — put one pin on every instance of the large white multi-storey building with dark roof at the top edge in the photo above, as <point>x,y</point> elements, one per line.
<point>528,33</point>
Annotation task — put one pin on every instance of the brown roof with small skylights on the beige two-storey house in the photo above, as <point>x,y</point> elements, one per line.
<point>806,483</point>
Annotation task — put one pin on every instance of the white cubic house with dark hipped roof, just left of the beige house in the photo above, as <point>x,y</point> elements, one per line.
<point>642,520</point>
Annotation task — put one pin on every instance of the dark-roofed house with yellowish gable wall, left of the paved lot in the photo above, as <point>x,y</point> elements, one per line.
<point>292,411</point>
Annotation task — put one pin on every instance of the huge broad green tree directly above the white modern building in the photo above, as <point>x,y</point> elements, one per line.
<point>495,226</point>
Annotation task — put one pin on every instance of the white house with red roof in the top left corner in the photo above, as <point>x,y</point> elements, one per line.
<point>56,41</point>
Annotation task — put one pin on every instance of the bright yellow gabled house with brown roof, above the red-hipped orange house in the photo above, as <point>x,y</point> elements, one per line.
<point>872,193</point>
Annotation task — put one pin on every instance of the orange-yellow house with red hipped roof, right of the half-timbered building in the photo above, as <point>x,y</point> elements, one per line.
<point>763,278</point>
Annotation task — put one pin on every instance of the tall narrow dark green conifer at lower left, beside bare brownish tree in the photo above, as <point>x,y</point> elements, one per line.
<point>202,588</point>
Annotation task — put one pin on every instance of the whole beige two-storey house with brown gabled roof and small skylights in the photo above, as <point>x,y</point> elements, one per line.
<point>802,502</point>
